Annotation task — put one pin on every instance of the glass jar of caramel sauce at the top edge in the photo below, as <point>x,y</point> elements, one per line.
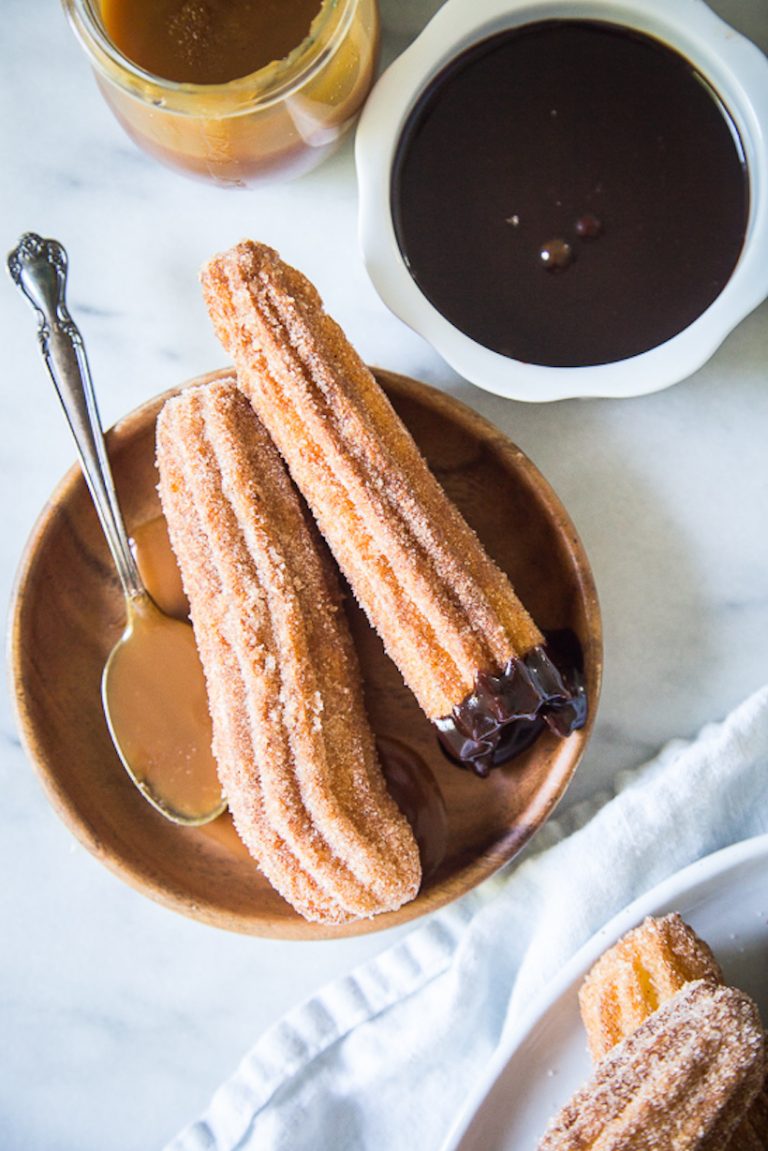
<point>225,90</point>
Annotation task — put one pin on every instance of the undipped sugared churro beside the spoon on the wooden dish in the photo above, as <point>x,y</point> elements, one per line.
<point>295,752</point>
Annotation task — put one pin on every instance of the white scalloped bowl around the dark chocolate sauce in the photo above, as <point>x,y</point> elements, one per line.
<point>735,68</point>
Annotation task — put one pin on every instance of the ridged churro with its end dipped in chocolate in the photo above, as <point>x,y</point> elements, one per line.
<point>448,618</point>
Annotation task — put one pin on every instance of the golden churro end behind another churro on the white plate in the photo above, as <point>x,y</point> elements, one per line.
<point>640,973</point>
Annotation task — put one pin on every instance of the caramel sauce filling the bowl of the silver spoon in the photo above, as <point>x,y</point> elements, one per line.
<point>158,713</point>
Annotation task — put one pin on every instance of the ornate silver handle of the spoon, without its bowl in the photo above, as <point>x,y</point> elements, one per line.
<point>40,270</point>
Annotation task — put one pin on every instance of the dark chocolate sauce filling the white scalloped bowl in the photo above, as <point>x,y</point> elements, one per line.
<point>577,134</point>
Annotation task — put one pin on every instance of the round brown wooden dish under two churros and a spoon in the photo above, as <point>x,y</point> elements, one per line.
<point>69,613</point>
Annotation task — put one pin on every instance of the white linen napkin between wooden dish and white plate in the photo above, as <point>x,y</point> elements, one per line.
<point>384,1058</point>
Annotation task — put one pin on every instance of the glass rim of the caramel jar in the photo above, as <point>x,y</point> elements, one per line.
<point>276,81</point>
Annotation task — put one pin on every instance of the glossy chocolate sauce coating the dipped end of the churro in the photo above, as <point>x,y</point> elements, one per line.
<point>507,713</point>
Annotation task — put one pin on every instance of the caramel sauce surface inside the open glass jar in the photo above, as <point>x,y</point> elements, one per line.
<point>207,42</point>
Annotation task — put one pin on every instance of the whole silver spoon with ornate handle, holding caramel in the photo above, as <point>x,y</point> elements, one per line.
<point>153,688</point>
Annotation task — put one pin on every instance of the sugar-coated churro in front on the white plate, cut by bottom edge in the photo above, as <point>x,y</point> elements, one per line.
<point>682,1083</point>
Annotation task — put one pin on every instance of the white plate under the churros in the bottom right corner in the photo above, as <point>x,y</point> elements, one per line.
<point>724,897</point>
